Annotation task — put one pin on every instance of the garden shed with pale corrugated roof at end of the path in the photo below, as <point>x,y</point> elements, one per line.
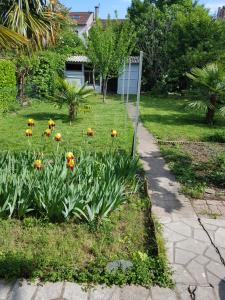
<point>79,71</point>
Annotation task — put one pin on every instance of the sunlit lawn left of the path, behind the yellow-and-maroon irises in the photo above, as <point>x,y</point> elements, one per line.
<point>102,118</point>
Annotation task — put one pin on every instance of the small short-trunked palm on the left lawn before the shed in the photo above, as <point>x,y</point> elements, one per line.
<point>72,95</point>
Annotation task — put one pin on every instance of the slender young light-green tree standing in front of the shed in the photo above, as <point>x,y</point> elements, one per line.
<point>108,47</point>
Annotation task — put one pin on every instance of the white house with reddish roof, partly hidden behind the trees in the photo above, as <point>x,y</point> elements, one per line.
<point>83,21</point>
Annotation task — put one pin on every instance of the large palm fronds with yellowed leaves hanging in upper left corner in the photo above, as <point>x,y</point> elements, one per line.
<point>33,19</point>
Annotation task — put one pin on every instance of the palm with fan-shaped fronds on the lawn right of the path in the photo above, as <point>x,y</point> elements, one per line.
<point>212,78</point>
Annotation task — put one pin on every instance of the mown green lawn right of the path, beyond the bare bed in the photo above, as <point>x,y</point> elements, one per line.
<point>167,119</point>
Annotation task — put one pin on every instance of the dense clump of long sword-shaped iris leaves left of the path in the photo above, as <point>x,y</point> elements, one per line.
<point>90,191</point>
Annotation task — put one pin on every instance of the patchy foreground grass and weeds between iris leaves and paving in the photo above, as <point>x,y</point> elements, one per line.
<point>33,248</point>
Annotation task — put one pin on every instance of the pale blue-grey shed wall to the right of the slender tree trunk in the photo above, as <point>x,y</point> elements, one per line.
<point>133,80</point>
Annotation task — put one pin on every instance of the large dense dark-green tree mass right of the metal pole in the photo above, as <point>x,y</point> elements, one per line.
<point>175,39</point>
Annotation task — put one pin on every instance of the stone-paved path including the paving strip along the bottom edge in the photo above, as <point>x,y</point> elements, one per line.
<point>195,247</point>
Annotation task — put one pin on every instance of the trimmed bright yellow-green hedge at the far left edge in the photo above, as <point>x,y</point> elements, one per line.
<point>7,84</point>
